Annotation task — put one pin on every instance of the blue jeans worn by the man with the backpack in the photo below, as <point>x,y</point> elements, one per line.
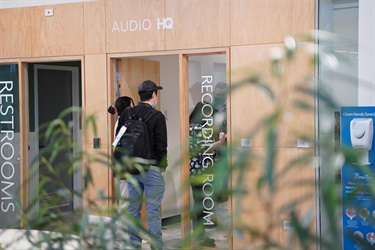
<point>152,184</point>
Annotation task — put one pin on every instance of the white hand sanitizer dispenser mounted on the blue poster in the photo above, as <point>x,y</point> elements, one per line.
<point>361,135</point>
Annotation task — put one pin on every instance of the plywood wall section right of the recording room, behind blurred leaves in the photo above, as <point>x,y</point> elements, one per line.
<point>253,104</point>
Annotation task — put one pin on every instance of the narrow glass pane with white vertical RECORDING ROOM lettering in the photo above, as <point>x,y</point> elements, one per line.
<point>207,141</point>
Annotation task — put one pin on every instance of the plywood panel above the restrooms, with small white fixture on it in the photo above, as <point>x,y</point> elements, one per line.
<point>27,32</point>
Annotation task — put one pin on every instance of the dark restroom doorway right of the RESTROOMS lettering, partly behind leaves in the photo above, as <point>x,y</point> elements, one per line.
<point>53,90</point>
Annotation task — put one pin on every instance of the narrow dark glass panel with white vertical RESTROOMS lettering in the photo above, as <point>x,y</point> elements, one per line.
<point>9,147</point>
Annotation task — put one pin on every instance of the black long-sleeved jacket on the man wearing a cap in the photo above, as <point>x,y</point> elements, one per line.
<point>157,128</point>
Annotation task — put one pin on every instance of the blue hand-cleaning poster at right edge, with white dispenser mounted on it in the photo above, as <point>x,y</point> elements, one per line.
<point>357,175</point>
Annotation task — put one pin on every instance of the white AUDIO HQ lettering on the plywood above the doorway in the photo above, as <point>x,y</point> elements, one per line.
<point>142,25</point>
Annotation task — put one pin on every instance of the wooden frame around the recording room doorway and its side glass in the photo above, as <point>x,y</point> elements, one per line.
<point>184,127</point>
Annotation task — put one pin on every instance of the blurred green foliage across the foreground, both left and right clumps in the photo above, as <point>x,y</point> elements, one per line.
<point>300,211</point>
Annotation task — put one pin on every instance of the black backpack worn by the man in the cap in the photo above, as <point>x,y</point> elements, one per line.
<point>133,150</point>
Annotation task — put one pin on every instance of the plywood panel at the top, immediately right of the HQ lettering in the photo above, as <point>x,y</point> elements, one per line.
<point>198,24</point>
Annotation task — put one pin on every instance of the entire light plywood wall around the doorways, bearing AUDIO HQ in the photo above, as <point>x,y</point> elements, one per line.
<point>250,29</point>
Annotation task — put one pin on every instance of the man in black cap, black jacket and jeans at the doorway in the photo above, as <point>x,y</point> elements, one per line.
<point>151,182</point>
